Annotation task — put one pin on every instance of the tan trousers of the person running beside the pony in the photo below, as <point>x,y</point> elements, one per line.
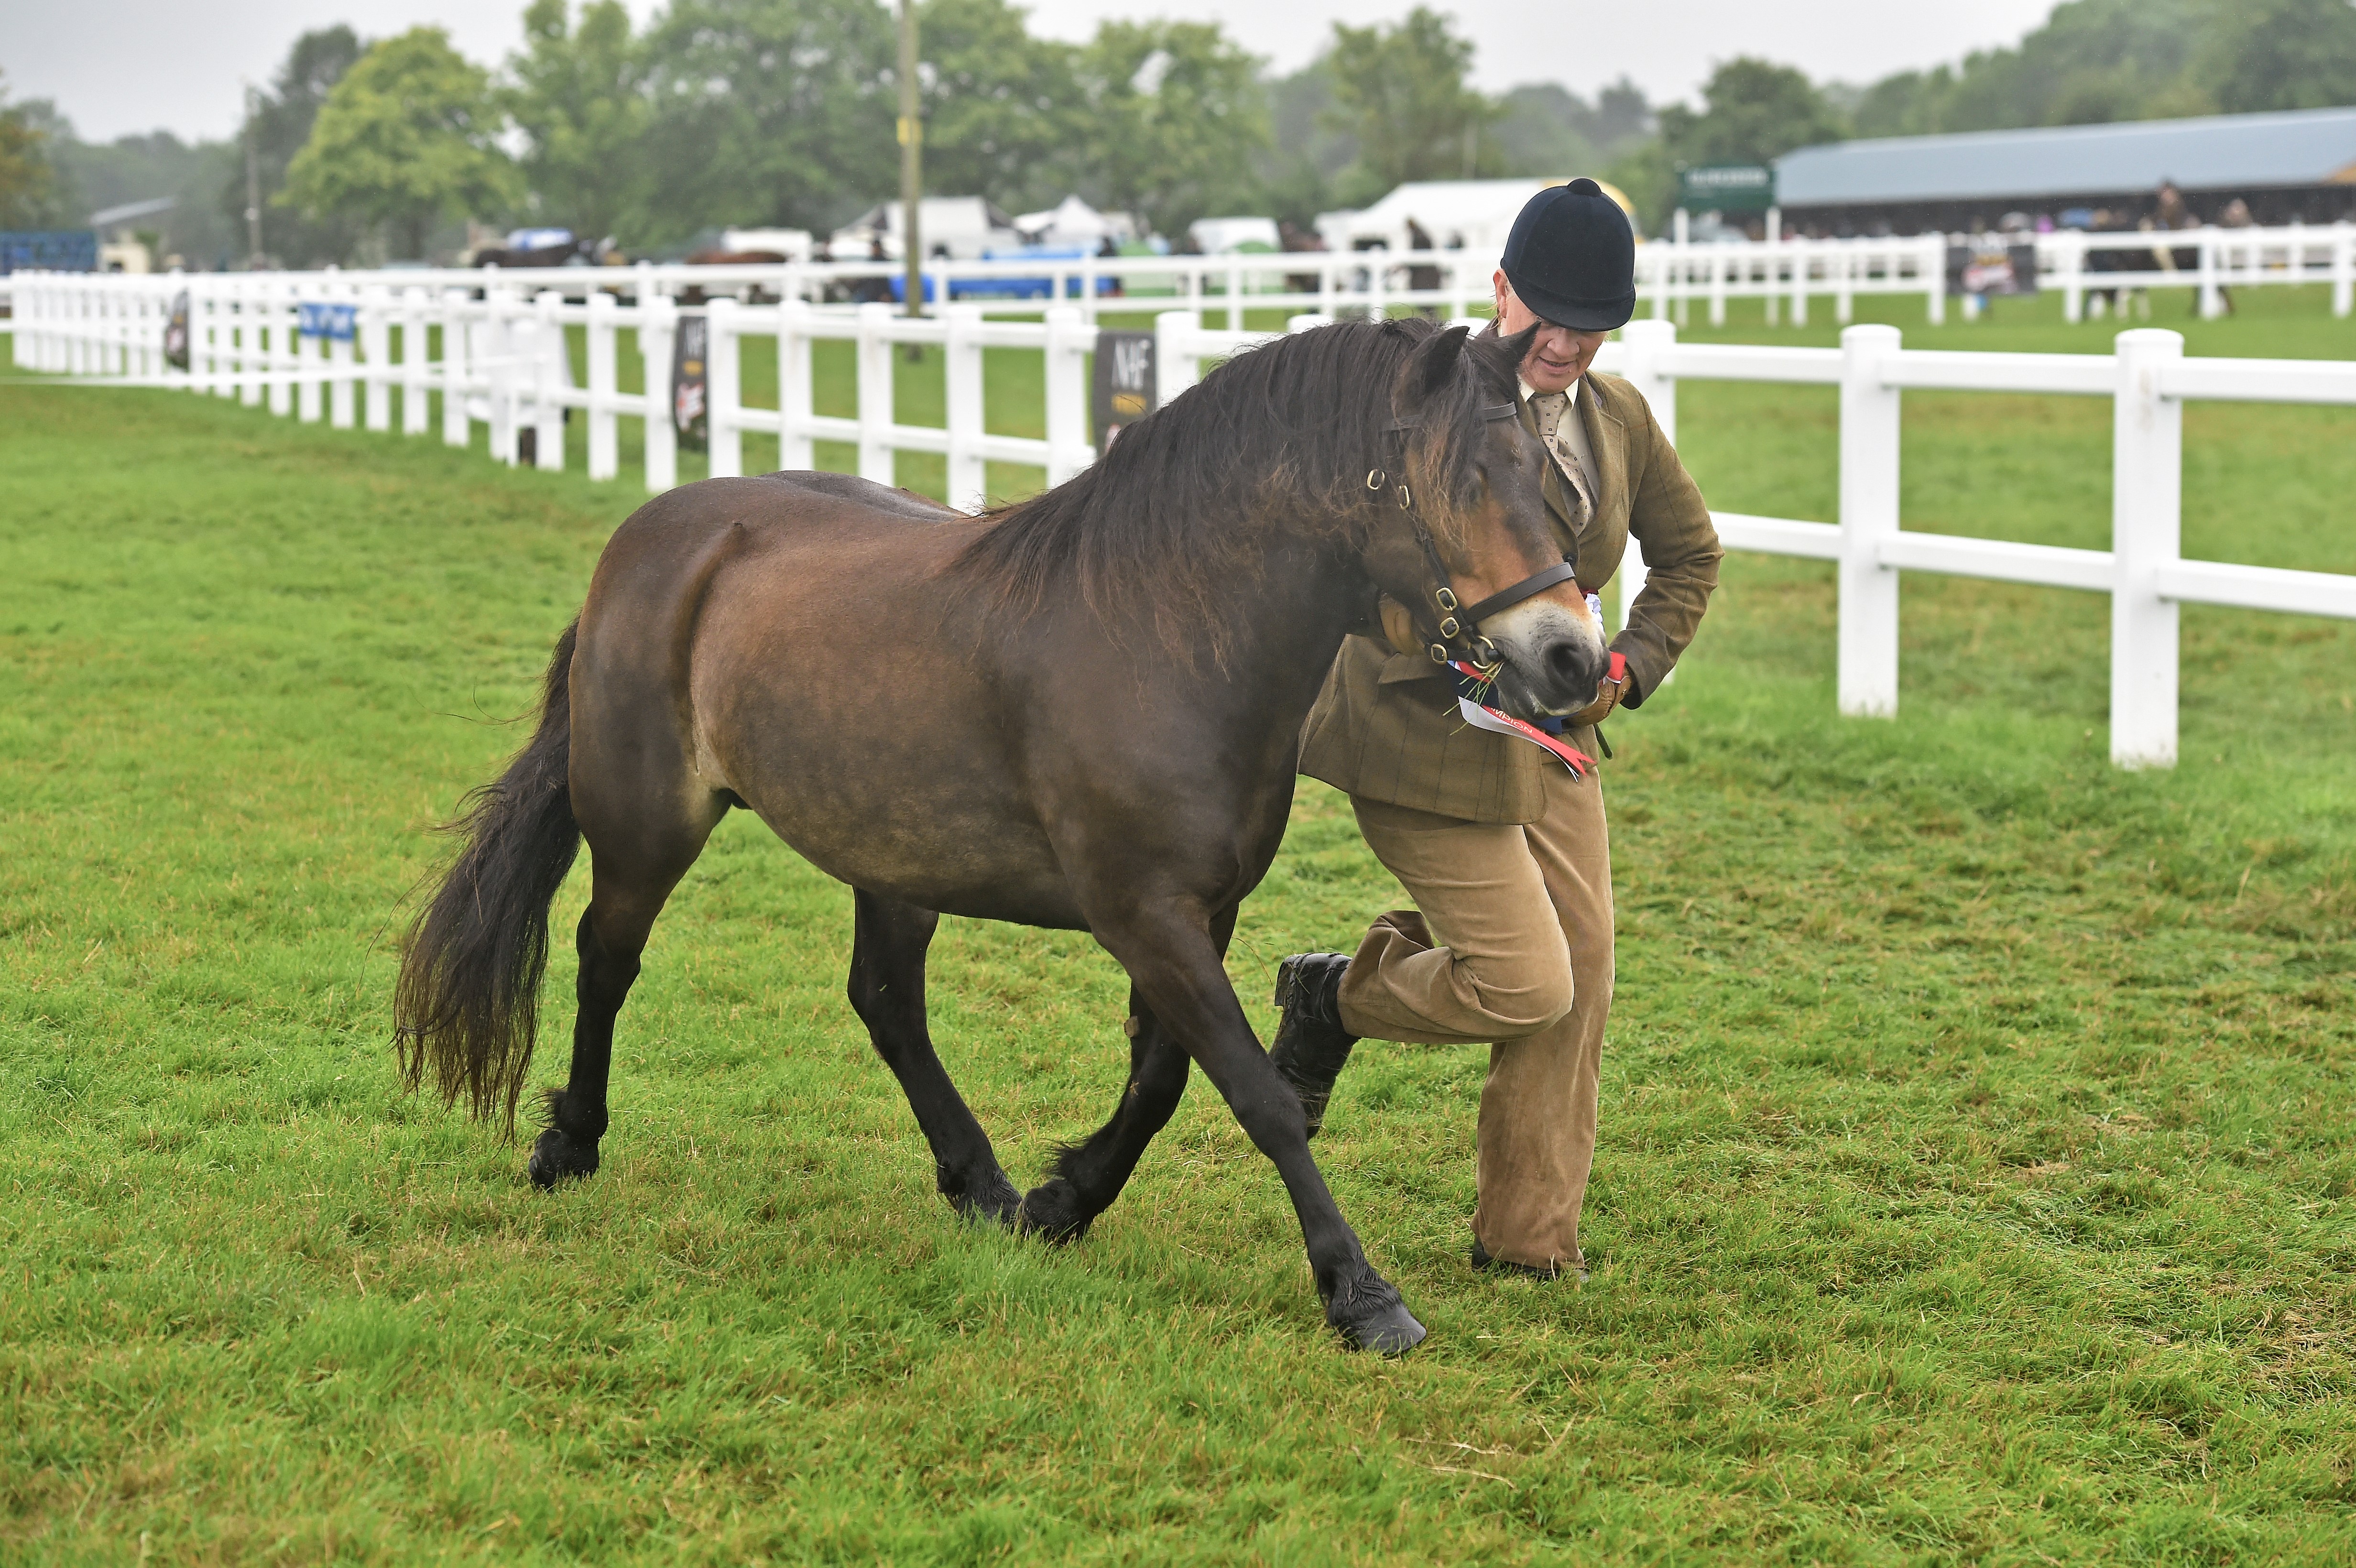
<point>1514,945</point>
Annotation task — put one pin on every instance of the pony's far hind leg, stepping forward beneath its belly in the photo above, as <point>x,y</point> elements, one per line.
<point>887,992</point>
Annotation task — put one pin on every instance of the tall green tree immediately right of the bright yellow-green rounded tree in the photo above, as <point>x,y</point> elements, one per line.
<point>581,102</point>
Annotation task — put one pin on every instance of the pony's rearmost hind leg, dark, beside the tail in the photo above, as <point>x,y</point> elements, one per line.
<point>630,884</point>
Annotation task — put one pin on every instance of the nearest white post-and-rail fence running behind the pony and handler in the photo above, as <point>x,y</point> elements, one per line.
<point>505,361</point>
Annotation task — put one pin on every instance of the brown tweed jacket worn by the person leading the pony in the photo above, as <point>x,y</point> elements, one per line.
<point>1387,724</point>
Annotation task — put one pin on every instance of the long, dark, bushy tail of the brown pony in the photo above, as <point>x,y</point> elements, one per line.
<point>468,1004</point>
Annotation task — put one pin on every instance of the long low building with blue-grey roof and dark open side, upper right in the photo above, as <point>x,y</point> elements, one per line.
<point>2284,166</point>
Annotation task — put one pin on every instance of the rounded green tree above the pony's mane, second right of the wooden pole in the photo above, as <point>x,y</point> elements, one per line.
<point>1177,119</point>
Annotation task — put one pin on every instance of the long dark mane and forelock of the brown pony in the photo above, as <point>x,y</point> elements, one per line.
<point>1177,507</point>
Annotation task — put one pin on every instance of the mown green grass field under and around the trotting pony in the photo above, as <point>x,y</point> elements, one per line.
<point>1976,1176</point>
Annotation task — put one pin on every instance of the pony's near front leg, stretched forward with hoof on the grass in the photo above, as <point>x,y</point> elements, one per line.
<point>1174,964</point>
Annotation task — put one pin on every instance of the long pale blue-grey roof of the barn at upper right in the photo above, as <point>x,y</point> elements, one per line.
<point>2218,152</point>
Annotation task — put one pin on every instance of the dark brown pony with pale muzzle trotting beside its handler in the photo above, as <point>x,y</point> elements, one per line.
<point>1080,712</point>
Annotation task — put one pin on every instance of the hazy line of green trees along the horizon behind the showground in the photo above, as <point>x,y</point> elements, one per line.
<point>783,112</point>
